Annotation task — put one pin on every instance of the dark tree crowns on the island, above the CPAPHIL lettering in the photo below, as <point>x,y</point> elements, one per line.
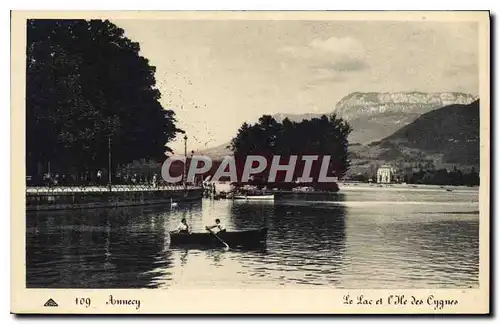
<point>317,136</point>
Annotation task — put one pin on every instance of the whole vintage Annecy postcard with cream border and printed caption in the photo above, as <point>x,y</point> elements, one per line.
<point>250,162</point>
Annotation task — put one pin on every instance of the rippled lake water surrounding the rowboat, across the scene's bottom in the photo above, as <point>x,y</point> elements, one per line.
<point>397,238</point>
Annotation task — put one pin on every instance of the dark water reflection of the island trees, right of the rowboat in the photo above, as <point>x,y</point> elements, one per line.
<point>311,240</point>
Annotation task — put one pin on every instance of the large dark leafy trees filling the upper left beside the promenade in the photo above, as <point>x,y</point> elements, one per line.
<point>85,83</point>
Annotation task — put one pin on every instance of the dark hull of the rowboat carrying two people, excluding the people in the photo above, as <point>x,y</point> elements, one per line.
<point>243,238</point>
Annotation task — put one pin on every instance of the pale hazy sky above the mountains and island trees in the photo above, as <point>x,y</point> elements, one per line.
<point>217,74</point>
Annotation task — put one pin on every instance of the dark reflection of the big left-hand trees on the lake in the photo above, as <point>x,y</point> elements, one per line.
<point>100,248</point>
